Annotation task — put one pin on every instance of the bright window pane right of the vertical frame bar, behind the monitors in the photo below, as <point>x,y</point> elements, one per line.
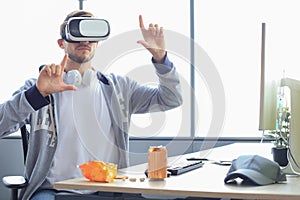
<point>230,33</point>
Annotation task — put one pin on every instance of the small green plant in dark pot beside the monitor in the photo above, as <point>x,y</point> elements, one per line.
<point>280,137</point>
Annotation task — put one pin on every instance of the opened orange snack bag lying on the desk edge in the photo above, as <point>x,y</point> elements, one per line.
<point>99,171</point>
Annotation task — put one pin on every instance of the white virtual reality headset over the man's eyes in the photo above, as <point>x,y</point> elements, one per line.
<point>86,29</point>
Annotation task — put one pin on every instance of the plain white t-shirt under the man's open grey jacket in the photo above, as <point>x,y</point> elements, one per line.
<point>82,135</point>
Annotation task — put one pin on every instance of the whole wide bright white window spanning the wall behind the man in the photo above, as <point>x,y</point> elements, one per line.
<point>227,35</point>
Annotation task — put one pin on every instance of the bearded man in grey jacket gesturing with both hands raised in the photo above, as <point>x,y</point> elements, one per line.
<point>56,145</point>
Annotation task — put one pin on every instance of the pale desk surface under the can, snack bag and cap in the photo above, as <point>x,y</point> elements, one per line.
<point>207,181</point>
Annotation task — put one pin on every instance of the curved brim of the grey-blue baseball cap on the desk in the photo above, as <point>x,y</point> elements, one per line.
<point>252,175</point>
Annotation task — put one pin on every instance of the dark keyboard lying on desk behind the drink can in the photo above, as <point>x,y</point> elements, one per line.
<point>183,166</point>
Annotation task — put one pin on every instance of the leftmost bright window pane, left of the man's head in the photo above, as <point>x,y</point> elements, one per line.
<point>28,39</point>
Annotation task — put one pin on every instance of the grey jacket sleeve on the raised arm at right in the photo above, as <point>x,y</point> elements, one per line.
<point>167,95</point>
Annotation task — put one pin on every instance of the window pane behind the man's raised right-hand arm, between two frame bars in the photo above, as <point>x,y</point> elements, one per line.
<point>134,61</point>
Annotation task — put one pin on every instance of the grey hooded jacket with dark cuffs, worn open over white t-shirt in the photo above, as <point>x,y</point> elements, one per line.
<point>123,97</point>
